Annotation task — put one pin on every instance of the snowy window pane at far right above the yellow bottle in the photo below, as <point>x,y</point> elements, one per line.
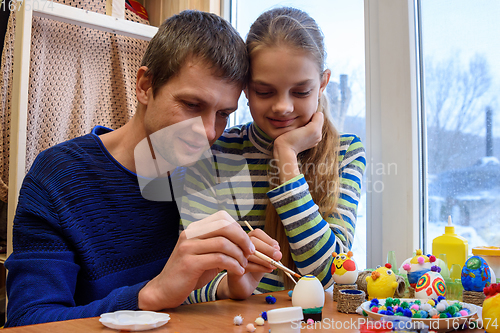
<point>461,80</point>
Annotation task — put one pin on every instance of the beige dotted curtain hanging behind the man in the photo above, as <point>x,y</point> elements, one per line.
<point>79,78</point>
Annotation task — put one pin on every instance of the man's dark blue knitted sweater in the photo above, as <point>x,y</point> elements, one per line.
<point>85,239</point>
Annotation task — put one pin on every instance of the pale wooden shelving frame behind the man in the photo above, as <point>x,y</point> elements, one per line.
<point>158,10</point>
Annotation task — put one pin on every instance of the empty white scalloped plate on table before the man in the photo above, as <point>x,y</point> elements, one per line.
<point>134,320</point>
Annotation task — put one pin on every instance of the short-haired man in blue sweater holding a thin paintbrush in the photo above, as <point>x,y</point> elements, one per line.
<point>86,240</point>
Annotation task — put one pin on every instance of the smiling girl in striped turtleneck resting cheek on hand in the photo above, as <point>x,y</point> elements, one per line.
<point>305,178</point>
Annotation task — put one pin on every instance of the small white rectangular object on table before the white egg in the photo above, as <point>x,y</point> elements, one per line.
<point>285,320</point>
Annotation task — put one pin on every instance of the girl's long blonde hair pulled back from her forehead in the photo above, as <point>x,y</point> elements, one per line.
<point>293,28</point>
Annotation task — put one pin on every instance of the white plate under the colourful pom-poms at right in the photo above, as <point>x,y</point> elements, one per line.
<point>435,324</point>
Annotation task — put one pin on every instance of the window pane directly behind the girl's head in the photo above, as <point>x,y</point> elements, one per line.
<point>342,23</point>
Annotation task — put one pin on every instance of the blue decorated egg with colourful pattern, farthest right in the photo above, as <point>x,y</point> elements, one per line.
<point>476,274</point>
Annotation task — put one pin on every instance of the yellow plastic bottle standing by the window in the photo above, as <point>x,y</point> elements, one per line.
<point>454,246</point>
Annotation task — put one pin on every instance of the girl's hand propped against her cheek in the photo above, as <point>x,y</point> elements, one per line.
<point>302,138</point>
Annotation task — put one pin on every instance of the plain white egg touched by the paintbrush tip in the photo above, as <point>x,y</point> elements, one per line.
<point>308,293</point>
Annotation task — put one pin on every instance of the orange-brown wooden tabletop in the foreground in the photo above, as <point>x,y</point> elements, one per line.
<point>216,317</point>
